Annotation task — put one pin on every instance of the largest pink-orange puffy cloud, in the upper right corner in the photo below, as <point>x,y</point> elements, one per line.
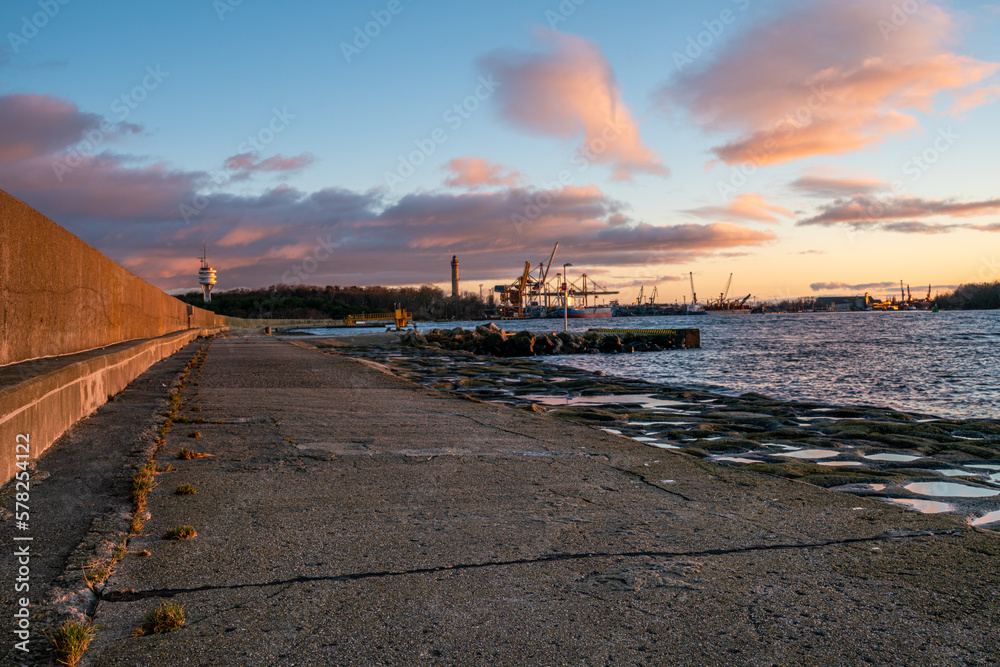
<point>826,78</point>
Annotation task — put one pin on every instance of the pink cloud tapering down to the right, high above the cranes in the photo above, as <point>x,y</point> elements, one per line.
<point>570,90</point>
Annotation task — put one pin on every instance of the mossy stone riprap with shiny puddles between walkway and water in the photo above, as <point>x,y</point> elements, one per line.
<point>914,460</point>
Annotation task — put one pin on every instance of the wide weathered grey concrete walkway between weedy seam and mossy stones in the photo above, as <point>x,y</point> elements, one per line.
<point>350,517</point>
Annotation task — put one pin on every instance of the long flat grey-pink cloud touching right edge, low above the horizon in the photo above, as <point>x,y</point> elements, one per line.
<point>865,211</point>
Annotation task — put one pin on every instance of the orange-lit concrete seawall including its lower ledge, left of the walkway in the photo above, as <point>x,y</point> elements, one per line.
<point>75,327</point>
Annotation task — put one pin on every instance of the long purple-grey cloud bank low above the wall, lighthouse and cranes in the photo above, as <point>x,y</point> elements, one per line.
<point>131,211</point>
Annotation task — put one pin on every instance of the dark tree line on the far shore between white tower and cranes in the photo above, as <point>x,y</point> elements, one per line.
<point>336,303</point>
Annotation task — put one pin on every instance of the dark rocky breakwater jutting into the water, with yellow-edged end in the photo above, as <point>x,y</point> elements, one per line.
<point>494,341</point>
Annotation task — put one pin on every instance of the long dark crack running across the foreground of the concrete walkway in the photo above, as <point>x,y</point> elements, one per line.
<point>131,596</point>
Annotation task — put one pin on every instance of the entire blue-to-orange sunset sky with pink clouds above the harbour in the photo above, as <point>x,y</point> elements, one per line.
<point>807,148</point>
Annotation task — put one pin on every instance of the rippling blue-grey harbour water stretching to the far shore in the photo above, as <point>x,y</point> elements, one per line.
<point>945,364</point>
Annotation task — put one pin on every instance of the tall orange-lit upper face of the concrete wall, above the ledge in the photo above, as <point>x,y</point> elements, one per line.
<point>59,295</point>
